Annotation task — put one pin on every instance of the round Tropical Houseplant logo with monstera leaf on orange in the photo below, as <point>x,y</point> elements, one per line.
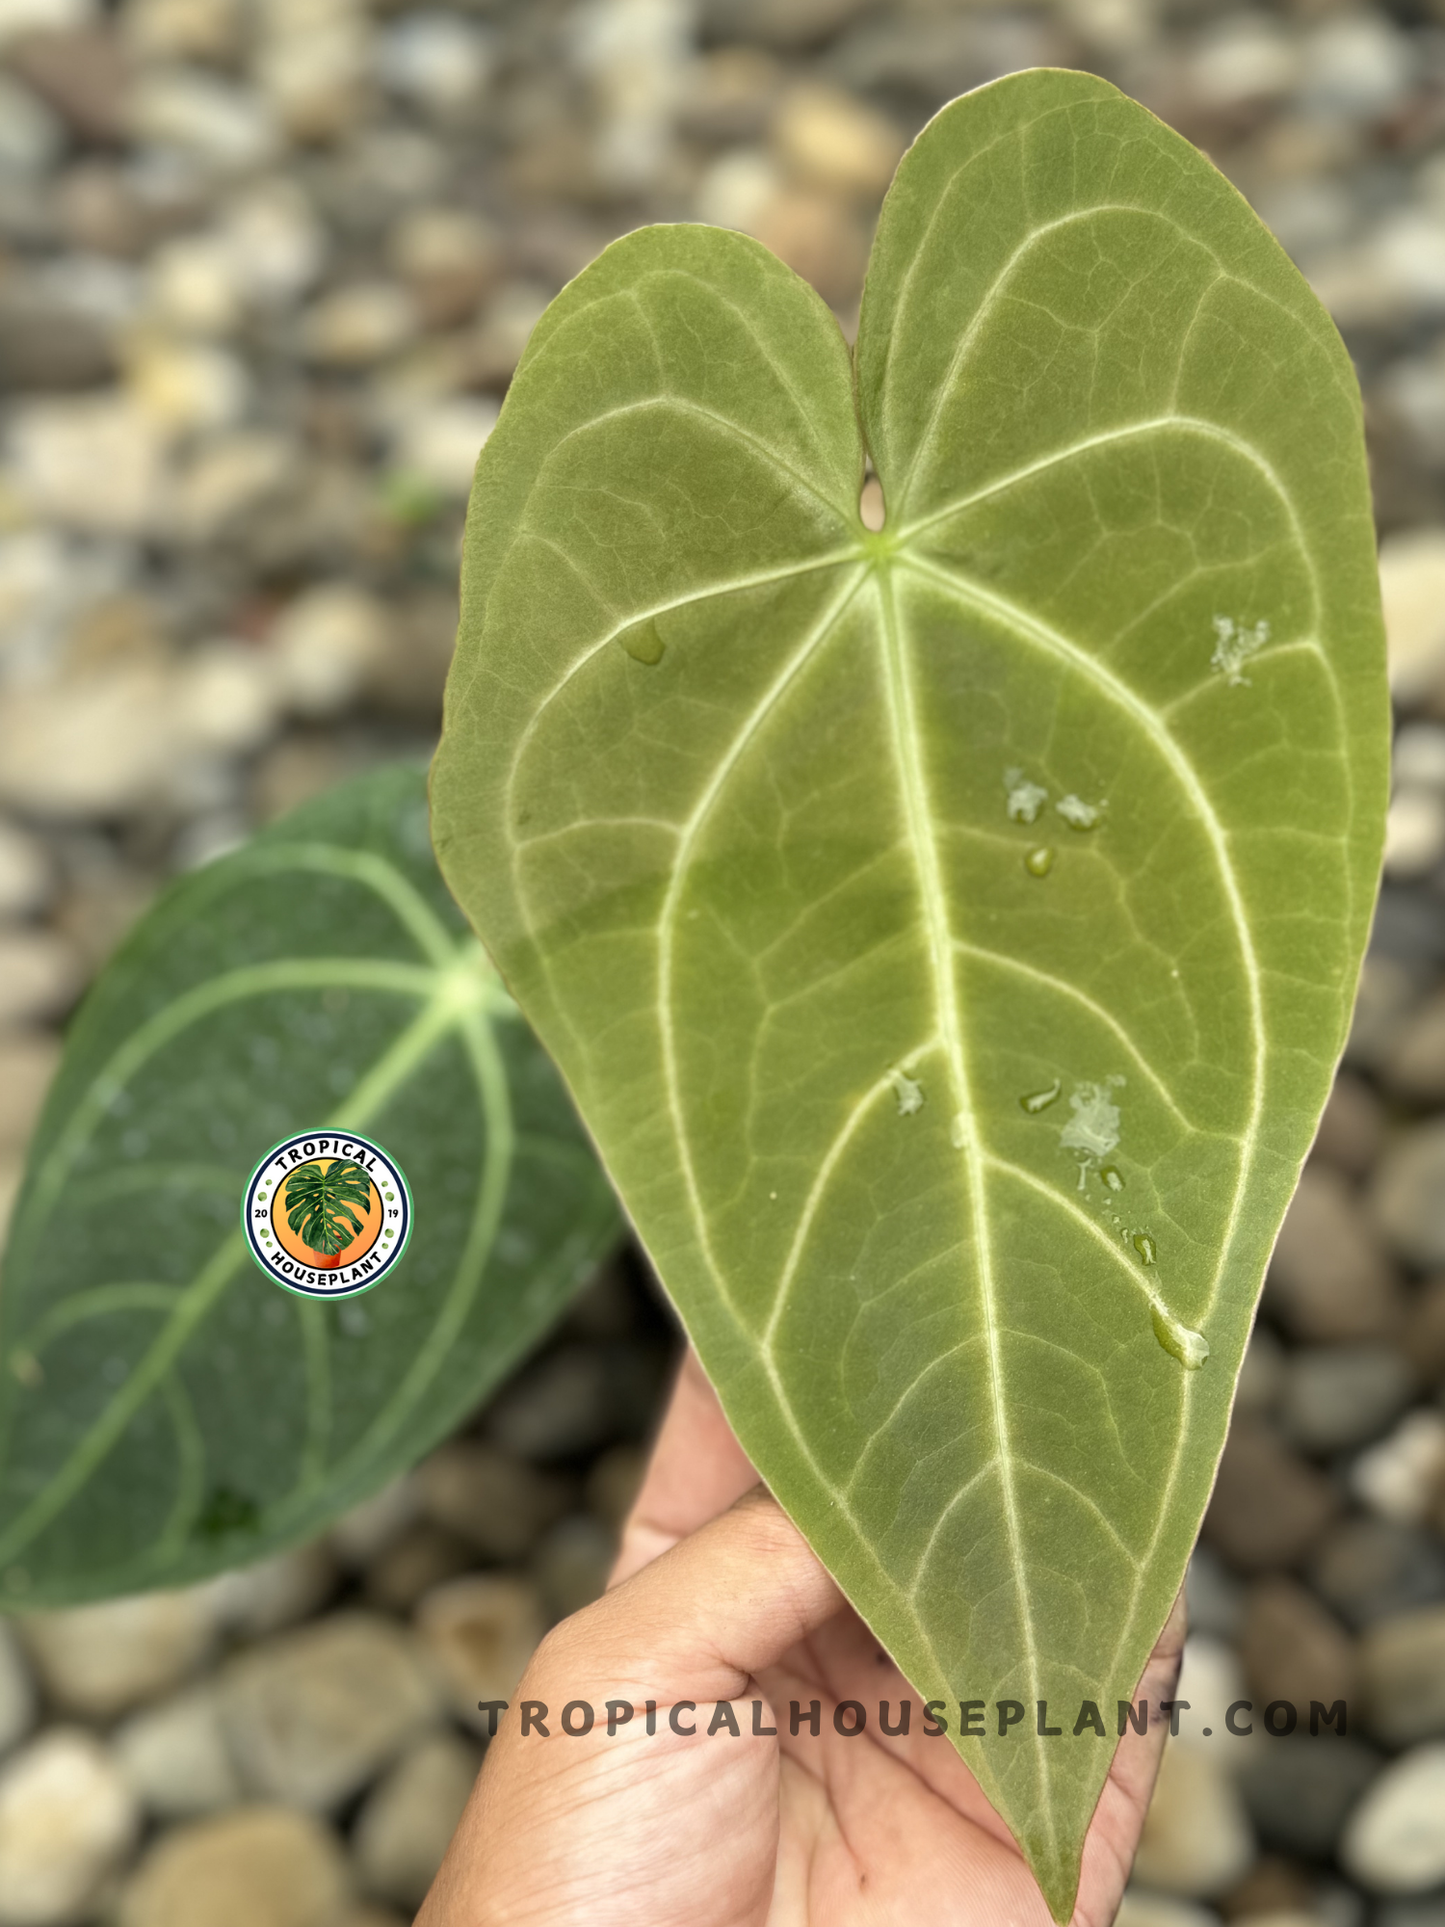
<point>327,1215</point>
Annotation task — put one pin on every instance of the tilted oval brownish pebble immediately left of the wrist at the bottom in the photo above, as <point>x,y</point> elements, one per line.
<point>409,1818</point>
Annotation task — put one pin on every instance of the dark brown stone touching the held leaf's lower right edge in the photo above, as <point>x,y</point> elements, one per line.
<point>1269,1506</point>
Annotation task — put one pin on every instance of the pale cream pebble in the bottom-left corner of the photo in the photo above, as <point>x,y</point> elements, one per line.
<point>66,1824</point>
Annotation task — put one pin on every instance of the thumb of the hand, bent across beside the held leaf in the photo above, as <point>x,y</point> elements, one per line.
<point>702,1620</point>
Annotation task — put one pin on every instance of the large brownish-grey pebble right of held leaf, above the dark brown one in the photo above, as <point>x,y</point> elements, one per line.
<point>1330,1277</point>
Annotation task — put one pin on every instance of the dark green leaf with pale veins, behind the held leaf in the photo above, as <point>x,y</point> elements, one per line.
<point>165,1410</point>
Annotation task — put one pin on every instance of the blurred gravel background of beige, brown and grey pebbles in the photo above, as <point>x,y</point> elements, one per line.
<point>265,273</point>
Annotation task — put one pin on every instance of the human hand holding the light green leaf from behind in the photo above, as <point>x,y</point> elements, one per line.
<point>718,1598</point>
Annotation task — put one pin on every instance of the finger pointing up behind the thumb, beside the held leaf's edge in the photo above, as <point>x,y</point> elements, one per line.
<point>696,1473</point>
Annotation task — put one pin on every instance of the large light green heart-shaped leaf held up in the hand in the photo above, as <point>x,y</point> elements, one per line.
<point>947,934</point>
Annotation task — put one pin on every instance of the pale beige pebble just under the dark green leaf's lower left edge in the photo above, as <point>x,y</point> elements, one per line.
<point>101,1660</point>
